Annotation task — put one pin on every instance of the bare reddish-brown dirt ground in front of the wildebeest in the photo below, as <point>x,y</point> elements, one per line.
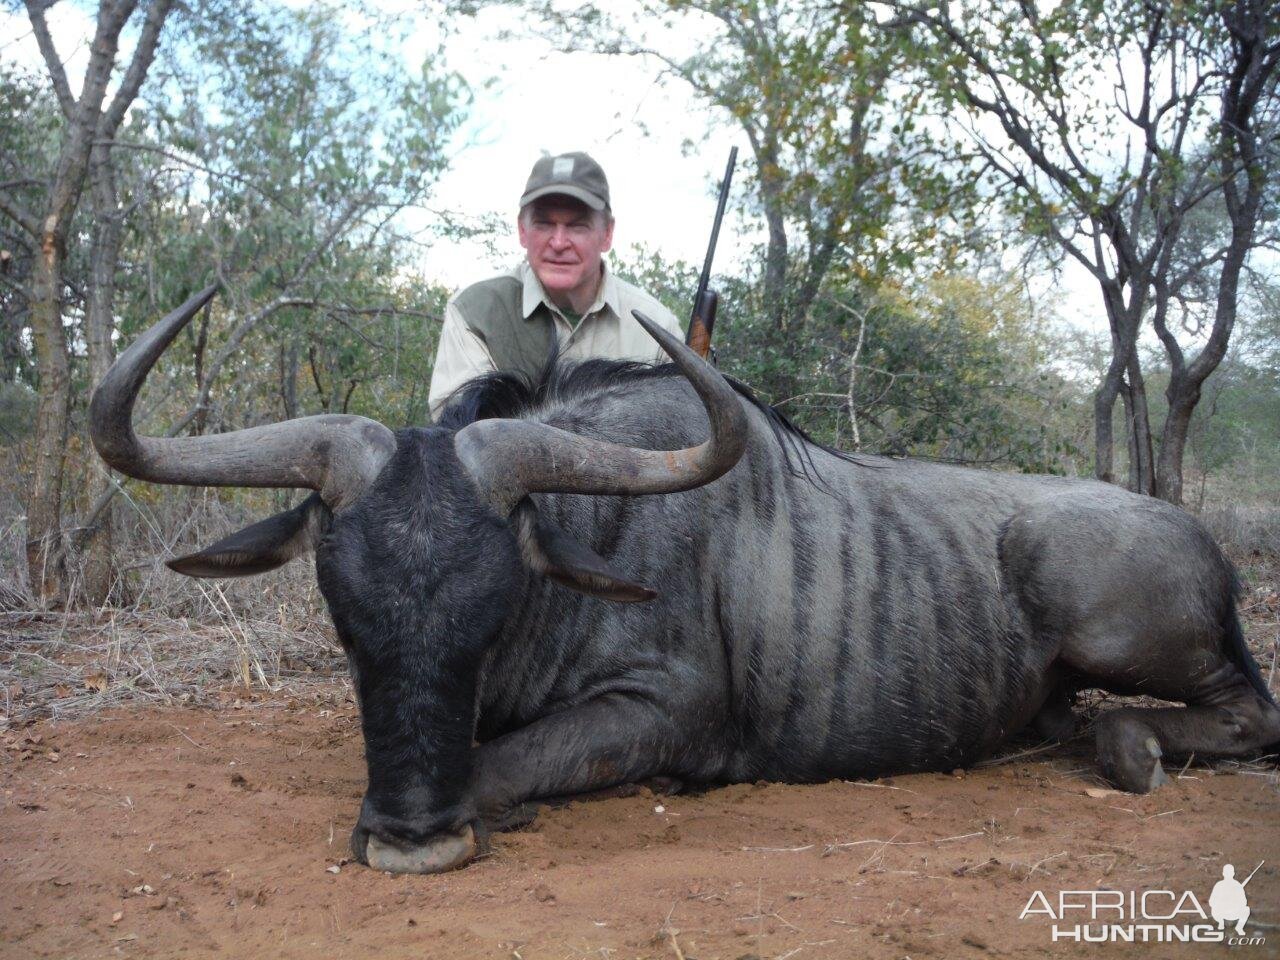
<point>203,833</point>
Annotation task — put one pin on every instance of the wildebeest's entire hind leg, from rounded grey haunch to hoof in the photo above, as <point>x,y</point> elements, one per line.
<point>1165,628</point>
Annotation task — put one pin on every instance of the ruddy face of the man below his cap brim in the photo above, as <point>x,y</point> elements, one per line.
<point>564,240</point>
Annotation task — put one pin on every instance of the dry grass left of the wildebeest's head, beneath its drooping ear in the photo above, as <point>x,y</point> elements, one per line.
<point>175,639</point>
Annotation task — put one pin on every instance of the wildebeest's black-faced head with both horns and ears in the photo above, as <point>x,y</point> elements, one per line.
<point>419,537</point>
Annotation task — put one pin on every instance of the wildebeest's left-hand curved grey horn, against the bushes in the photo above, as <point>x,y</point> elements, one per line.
<point>339,456</point>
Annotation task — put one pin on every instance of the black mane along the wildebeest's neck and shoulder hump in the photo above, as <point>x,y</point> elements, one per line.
<point>511,395</point>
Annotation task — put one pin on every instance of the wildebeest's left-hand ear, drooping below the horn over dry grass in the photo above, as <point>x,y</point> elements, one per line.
<point>262,547</point>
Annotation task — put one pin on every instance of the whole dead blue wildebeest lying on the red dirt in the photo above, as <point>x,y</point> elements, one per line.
<point>852,619</point>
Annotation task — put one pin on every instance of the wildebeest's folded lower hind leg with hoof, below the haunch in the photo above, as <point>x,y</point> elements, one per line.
<point>1226,719</point>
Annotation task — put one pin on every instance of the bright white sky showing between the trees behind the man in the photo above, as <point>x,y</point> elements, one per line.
<point>664,150</point>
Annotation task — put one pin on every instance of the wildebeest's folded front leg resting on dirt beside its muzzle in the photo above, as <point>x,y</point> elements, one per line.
<point>616,739</point>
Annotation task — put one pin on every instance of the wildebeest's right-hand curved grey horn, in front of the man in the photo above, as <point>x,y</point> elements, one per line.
<point>510,459</point>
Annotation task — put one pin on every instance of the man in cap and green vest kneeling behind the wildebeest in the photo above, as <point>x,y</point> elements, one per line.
<point>563,295</point>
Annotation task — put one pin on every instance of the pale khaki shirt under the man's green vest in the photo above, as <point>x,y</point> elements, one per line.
<point>607,331</point>
